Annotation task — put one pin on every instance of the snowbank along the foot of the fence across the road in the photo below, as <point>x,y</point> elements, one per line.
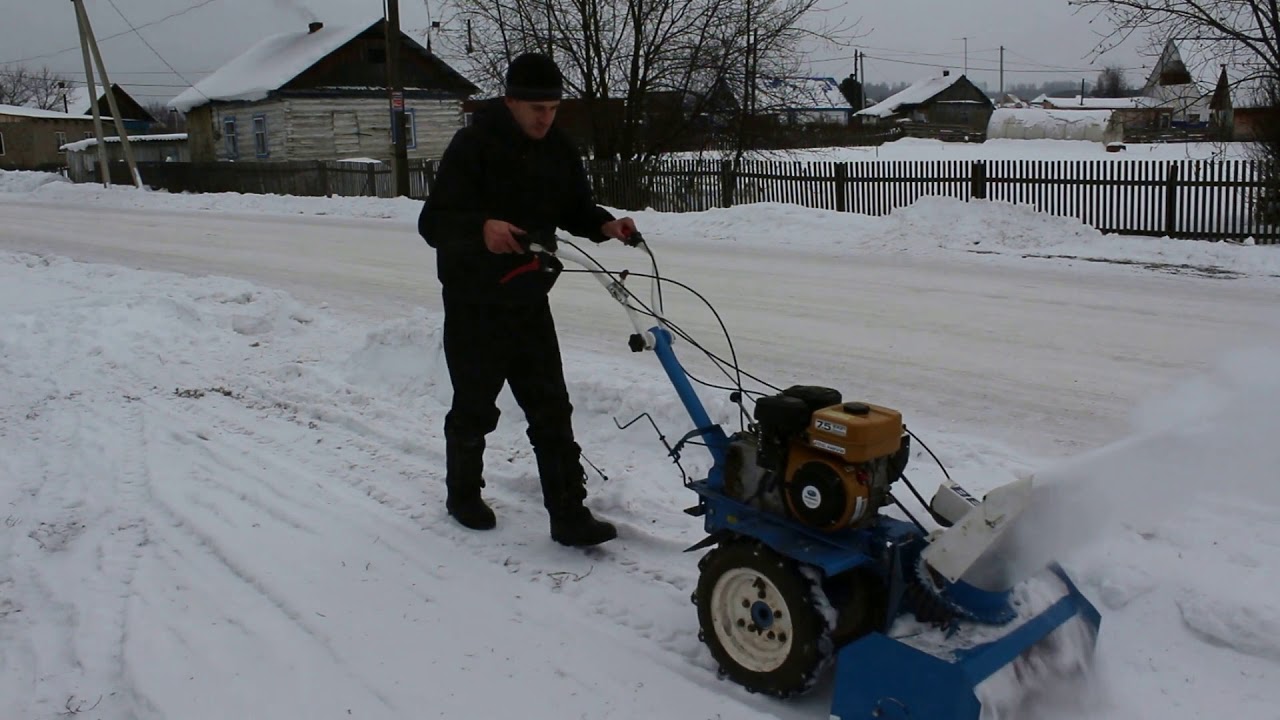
<point>930,226</point>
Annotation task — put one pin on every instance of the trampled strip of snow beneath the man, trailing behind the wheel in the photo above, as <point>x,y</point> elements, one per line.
<point>660,608</point>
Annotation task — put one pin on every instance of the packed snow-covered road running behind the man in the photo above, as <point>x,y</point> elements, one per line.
<point>1055,353</point>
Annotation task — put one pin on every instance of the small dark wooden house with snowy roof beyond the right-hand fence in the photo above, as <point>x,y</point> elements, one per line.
<point>941,101</point>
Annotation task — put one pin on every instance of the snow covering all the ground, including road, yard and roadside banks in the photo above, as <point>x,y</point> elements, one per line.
<point>221,454</point>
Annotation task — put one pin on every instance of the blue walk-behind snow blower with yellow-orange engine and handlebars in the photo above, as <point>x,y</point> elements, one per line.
<point>806,572</point>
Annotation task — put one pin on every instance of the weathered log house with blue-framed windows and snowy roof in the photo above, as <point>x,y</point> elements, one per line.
<point>322,95</point>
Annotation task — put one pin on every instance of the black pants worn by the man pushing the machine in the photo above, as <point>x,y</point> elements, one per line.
<point>487,347</point>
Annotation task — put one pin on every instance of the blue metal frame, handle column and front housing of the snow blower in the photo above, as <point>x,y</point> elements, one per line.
<point>876,676</point>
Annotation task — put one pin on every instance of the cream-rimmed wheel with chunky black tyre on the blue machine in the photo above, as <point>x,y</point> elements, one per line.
<point>762,619</point>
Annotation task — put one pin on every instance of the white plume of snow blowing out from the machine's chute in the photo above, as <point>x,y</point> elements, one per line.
<point>1212,440</point>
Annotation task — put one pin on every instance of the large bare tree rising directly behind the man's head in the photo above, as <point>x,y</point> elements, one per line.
<point>648,71</point>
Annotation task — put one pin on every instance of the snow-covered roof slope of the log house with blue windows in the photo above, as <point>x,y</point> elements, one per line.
<point>268,66</point>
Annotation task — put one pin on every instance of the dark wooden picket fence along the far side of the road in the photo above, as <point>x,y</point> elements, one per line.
<point>1185,199</point>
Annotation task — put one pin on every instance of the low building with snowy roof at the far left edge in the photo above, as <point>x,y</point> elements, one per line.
<point>34,140</point>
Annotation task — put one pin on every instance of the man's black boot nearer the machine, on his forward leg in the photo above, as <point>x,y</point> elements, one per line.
<point>564,493</point>
